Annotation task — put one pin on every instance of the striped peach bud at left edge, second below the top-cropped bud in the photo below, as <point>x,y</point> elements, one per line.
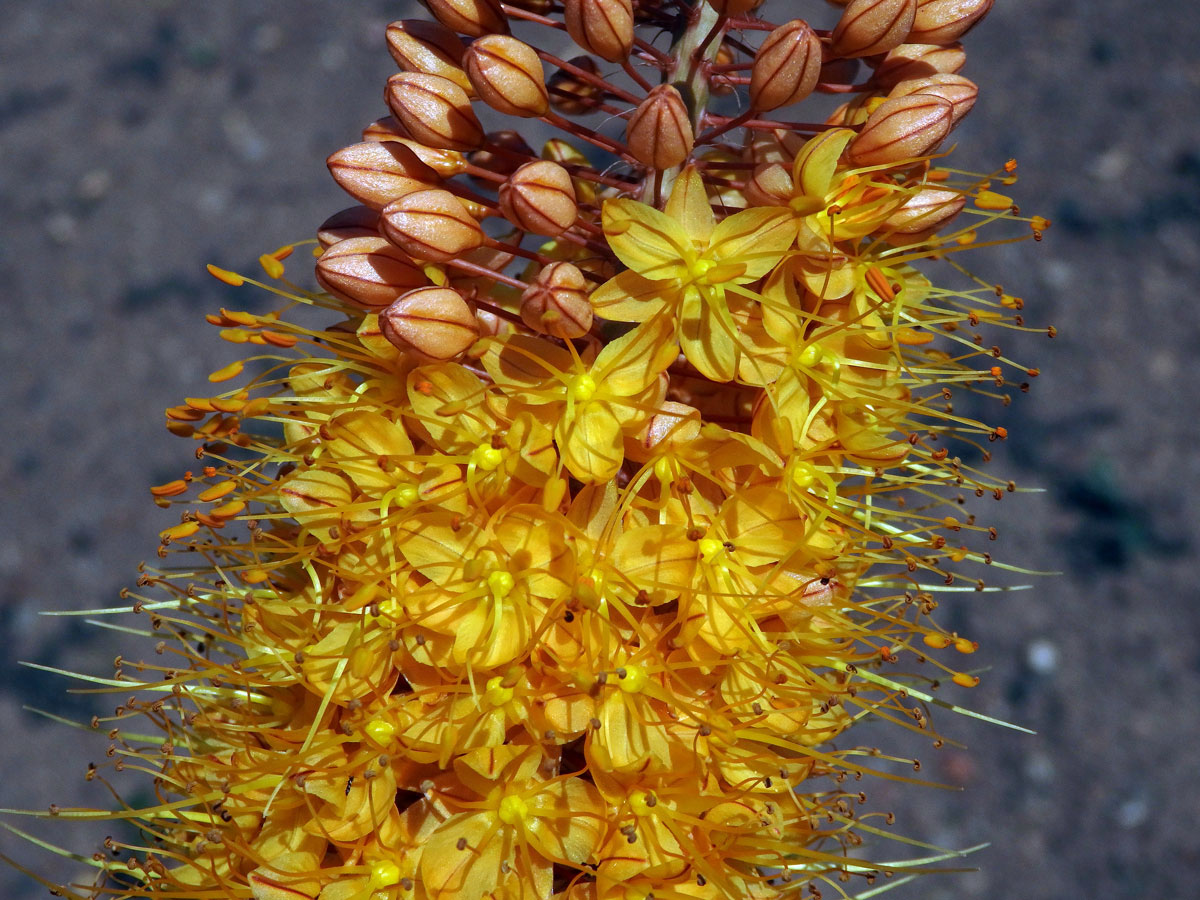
<point>435,111</point>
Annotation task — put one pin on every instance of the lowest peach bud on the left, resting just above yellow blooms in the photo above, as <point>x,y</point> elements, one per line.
<point>435,325</point>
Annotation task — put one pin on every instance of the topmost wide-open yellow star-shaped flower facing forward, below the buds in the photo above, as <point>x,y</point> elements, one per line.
<point>682,263</point>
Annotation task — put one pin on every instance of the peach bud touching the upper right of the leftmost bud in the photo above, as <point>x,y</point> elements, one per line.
<point>431,225</point>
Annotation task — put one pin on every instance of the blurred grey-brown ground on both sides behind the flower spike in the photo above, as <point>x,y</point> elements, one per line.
<point>142,140</point>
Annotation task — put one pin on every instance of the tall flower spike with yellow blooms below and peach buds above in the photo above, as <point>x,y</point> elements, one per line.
<point>619,488</point>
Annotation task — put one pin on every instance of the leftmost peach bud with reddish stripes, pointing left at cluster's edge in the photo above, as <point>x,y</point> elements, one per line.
<point>368,272</point>
